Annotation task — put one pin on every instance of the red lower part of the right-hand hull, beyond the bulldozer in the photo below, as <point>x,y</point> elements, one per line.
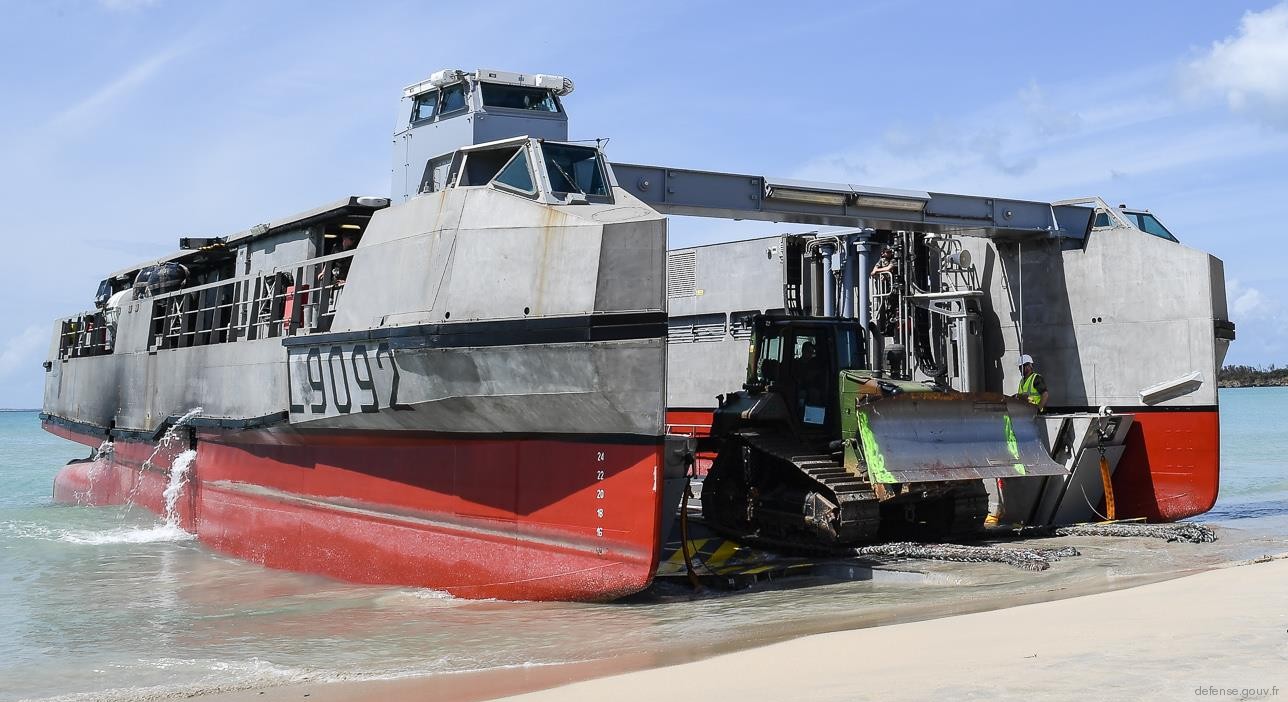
<point>1170,470</point>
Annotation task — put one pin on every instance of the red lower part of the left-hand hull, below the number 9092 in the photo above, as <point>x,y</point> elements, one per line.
<point>525,518</point>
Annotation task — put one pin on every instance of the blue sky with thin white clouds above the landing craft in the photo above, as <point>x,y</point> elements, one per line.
<point>131,123</point>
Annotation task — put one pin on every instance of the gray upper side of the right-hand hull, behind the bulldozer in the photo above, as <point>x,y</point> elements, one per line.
<point>1117,316</point>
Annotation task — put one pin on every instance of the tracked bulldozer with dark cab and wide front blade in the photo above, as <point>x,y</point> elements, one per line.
<point>817,453</point>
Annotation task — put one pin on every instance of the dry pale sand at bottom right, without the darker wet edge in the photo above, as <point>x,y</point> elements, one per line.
<point>1217,632</point>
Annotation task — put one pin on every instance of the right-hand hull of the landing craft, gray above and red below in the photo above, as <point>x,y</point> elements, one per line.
<point>1128,325</point>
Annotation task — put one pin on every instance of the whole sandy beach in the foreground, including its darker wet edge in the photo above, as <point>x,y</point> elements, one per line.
<point>1148,638</point>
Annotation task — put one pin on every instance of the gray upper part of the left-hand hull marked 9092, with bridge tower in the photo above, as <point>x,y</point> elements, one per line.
<point>489,301</point>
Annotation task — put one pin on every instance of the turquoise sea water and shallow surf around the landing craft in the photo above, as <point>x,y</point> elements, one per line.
<point>106,603</point>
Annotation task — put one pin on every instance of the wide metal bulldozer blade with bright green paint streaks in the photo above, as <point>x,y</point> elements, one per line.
<point>927,437</point>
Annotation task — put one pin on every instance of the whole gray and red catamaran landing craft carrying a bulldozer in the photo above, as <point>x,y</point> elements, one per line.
<point>494,382</point>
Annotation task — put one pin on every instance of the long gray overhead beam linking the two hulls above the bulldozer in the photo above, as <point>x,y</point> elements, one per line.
<point>739,196</point>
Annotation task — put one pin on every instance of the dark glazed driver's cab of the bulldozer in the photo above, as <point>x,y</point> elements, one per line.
<point>800,359</point>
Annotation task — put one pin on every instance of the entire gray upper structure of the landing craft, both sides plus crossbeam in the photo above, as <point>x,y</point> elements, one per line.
<point>520,284</point>
